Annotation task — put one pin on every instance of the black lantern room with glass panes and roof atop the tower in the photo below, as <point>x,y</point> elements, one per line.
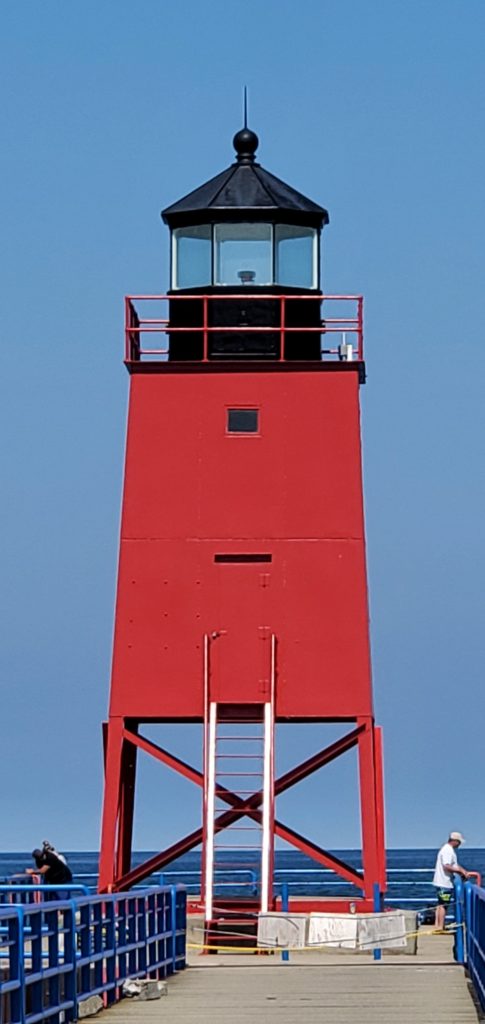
<point>249,236</point>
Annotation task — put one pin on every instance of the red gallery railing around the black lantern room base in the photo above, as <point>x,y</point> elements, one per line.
<point>347,321</point>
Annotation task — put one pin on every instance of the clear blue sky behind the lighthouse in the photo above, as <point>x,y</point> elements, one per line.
<point>112,111</point>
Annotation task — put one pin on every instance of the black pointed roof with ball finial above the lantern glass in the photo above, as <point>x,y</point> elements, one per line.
<point>245,188</point>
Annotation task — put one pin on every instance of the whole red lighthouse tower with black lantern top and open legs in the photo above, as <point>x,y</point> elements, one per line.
<point>242,596</point>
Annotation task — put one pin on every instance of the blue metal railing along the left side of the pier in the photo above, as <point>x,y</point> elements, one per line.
<point>56,954</point>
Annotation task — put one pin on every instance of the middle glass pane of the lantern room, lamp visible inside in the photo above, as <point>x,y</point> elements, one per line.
<point>243,254</point>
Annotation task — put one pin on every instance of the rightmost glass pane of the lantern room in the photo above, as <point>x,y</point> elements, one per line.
<point>296,257</point>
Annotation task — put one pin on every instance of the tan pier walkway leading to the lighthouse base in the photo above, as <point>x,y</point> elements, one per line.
<point>328,988</point>
